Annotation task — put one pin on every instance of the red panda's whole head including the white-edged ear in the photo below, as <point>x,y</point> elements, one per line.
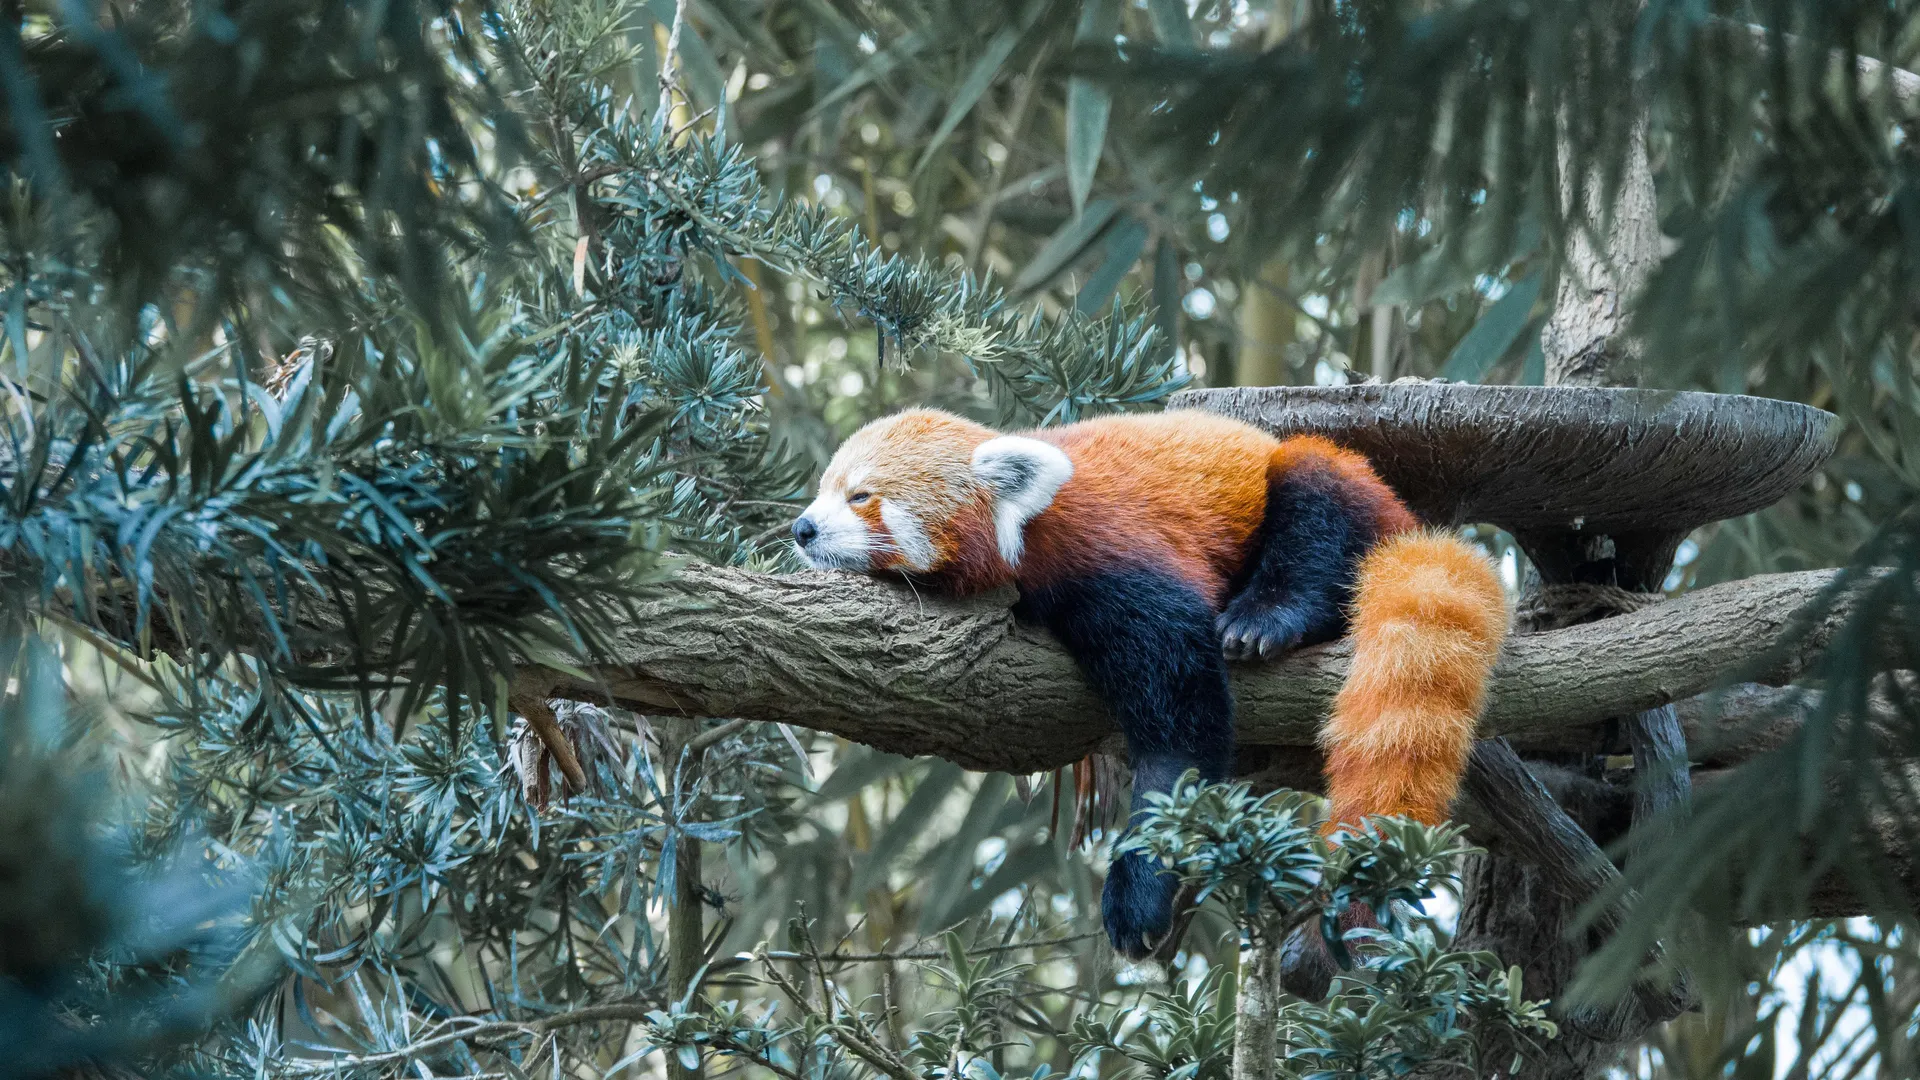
<point>930,493</point>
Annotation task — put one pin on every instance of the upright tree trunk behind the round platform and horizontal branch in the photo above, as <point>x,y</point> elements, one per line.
<point>1524,908</point>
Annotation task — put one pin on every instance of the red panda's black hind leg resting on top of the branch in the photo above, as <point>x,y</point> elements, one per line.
<point>1297,585</point>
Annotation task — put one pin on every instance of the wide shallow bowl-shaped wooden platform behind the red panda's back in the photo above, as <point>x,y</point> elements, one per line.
<point>1581,460</point>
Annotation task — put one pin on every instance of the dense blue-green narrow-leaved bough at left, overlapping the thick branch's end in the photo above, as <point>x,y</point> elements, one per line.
<point>402,503</point>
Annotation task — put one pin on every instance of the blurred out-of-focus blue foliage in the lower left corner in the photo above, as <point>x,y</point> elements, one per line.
<point>107,952</point>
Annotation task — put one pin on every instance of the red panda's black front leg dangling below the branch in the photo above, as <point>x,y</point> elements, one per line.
<point>1147,645</point>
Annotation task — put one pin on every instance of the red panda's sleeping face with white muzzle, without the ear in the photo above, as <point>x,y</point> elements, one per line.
<point>894,497</point>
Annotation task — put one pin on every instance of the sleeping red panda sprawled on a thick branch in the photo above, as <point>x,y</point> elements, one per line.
<point>1157,549</point>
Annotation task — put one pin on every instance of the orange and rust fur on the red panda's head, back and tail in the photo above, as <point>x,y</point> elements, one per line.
<point>1188,491</point>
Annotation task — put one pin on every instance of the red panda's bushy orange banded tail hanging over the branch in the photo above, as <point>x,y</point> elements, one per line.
<point>1428,624</point>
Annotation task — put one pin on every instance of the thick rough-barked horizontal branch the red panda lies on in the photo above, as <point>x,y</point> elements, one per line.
<point>907,674</point>
